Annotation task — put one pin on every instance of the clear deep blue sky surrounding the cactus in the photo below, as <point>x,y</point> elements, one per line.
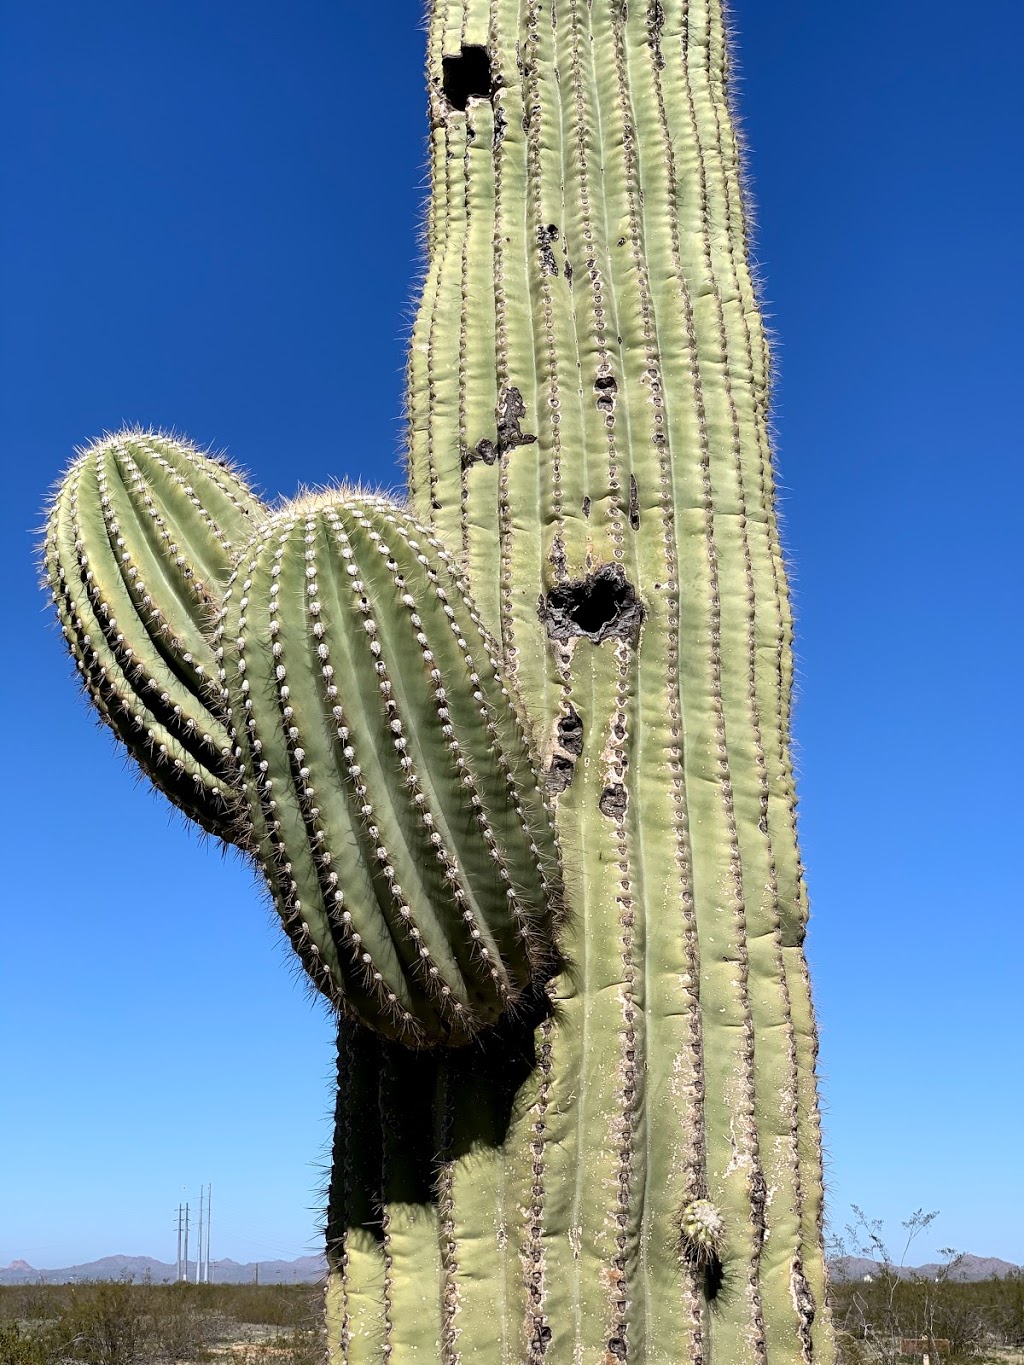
<point>210,223</point>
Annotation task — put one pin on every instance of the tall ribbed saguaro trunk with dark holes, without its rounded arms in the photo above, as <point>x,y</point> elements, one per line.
<point>631,1170</point>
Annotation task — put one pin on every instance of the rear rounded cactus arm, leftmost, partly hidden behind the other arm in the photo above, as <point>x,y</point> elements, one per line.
<point>137,552</point>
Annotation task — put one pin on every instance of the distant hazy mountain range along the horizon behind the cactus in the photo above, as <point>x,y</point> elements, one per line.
<point>308,1270</point>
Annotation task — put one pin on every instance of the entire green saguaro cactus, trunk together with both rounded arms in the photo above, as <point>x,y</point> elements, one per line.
<point>517,762</point>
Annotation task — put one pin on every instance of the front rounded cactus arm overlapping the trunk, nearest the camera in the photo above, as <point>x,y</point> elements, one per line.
<point>387,772</point>
